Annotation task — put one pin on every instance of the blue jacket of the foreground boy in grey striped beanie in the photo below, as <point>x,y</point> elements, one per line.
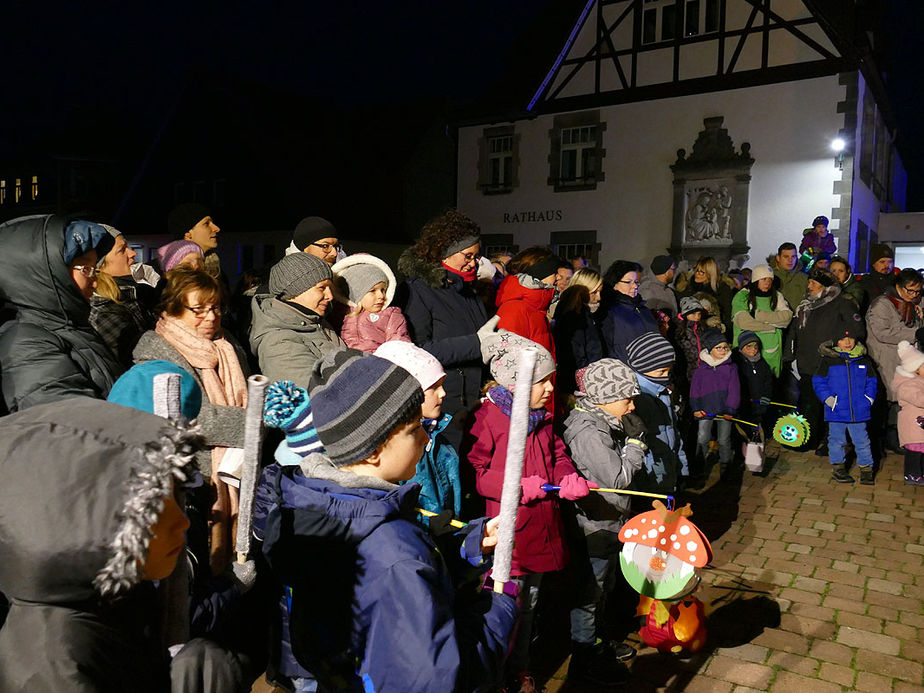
<point>372,606</point>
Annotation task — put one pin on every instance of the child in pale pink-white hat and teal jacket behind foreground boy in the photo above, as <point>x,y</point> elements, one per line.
<point>438,468</point>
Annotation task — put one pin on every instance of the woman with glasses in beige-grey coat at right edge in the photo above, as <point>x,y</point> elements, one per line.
<point>892,317</point>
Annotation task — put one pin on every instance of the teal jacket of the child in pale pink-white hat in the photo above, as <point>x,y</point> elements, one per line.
<point>438,471</point>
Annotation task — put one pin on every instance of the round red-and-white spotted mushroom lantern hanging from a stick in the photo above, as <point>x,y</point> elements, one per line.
<point>660,550</point>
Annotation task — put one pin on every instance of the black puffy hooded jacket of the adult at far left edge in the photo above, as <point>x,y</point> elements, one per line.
<point>49,351</point>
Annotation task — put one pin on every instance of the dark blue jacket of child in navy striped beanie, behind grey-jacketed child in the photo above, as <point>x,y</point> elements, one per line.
<point>666,458</point>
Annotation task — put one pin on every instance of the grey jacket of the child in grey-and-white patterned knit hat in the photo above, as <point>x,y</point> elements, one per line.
<point>600,456</point>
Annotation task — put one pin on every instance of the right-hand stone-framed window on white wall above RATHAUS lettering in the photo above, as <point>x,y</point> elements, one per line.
<point>576,157</point>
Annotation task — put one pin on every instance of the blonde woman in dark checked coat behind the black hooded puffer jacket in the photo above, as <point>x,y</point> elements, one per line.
<point>116,311</point>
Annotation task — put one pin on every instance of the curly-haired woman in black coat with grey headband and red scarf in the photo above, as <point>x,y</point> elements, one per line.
<point>443,312</point>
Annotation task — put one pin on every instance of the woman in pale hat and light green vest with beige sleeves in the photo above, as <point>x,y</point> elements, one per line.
<point>762,309</point>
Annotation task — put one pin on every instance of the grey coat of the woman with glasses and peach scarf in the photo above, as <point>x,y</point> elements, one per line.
<point>221,425</point>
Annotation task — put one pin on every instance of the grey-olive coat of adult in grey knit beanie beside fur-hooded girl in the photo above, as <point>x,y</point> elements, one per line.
<point>288,342</point>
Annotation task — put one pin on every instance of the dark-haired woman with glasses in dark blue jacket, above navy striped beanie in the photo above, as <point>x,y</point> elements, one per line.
<point>627,316</point>
